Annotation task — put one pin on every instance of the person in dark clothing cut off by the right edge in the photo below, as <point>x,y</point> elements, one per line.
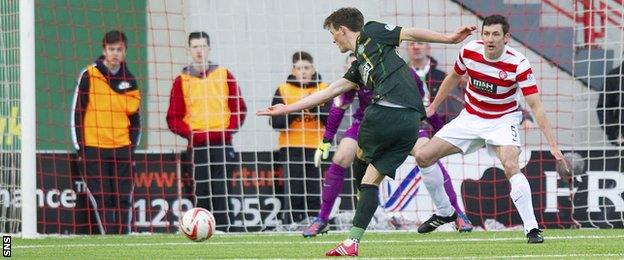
<point>611,105</point>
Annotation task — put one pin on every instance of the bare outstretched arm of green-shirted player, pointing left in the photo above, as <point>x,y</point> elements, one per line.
<point>335,88</point>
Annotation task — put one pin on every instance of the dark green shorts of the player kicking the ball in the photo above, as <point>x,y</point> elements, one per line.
<point>387,135</point>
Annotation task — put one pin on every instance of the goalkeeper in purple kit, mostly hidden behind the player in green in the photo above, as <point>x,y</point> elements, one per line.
<point>347,149</point>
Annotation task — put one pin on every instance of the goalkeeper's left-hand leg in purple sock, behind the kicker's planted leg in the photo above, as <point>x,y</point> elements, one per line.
<point>332,185</point>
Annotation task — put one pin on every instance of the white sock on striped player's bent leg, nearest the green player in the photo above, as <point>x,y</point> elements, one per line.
<point>434,181</point>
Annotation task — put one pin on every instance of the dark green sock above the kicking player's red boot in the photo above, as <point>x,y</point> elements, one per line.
<point>366,207</point>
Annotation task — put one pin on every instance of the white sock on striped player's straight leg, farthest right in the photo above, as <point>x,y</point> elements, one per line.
<point>521,196</point>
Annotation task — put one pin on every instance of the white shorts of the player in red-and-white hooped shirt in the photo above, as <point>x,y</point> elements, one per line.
<point>469,132</point>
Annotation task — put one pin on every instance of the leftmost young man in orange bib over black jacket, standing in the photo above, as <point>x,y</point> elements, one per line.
<point>106,130</point>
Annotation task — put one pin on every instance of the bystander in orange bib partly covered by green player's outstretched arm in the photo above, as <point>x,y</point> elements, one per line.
<point>300,133</point>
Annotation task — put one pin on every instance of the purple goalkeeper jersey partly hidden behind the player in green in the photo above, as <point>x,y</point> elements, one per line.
<point>342,102</point>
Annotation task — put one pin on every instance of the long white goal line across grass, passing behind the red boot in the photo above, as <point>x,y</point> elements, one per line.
<point>306,242</point>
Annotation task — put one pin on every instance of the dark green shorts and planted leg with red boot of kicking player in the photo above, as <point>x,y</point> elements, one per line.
<point>385,148</point>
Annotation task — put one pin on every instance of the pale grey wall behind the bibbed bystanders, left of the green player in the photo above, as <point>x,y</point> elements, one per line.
<point>254,39</point>
